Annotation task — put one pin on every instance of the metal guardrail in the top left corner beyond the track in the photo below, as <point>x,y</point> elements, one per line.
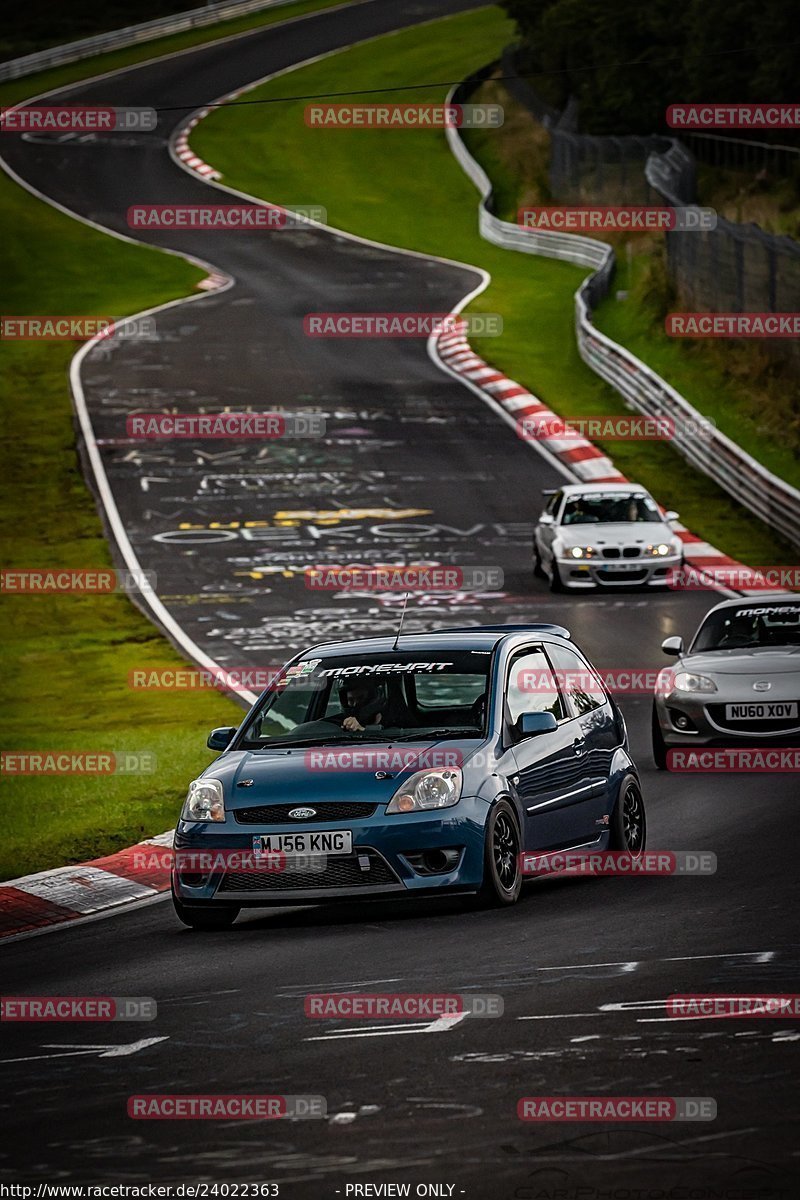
<point>118,39</point>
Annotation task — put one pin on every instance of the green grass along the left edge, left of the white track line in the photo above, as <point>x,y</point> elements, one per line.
<point>65,658</point>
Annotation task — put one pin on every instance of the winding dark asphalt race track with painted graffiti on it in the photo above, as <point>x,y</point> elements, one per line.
<point>581,965</point>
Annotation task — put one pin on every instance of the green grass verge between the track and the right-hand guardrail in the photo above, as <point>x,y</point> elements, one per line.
<point>414,195</point>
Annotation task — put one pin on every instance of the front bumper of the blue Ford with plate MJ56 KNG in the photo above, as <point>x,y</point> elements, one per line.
<point>392,857</point>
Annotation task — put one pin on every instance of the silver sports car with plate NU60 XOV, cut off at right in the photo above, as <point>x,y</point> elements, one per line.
<point>739,682</point>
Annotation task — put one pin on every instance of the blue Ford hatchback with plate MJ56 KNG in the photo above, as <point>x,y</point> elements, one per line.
<point>414,766</point>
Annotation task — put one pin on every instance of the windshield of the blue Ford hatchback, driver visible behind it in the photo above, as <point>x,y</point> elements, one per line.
<point>393,695</point>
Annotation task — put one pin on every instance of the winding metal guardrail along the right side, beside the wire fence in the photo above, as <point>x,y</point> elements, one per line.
<point>768,497</point>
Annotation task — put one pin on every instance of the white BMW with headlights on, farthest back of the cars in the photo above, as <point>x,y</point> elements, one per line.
<point>605,536</point>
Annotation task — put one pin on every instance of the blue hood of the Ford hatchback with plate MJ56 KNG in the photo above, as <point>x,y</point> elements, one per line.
<point>341,772</point>
